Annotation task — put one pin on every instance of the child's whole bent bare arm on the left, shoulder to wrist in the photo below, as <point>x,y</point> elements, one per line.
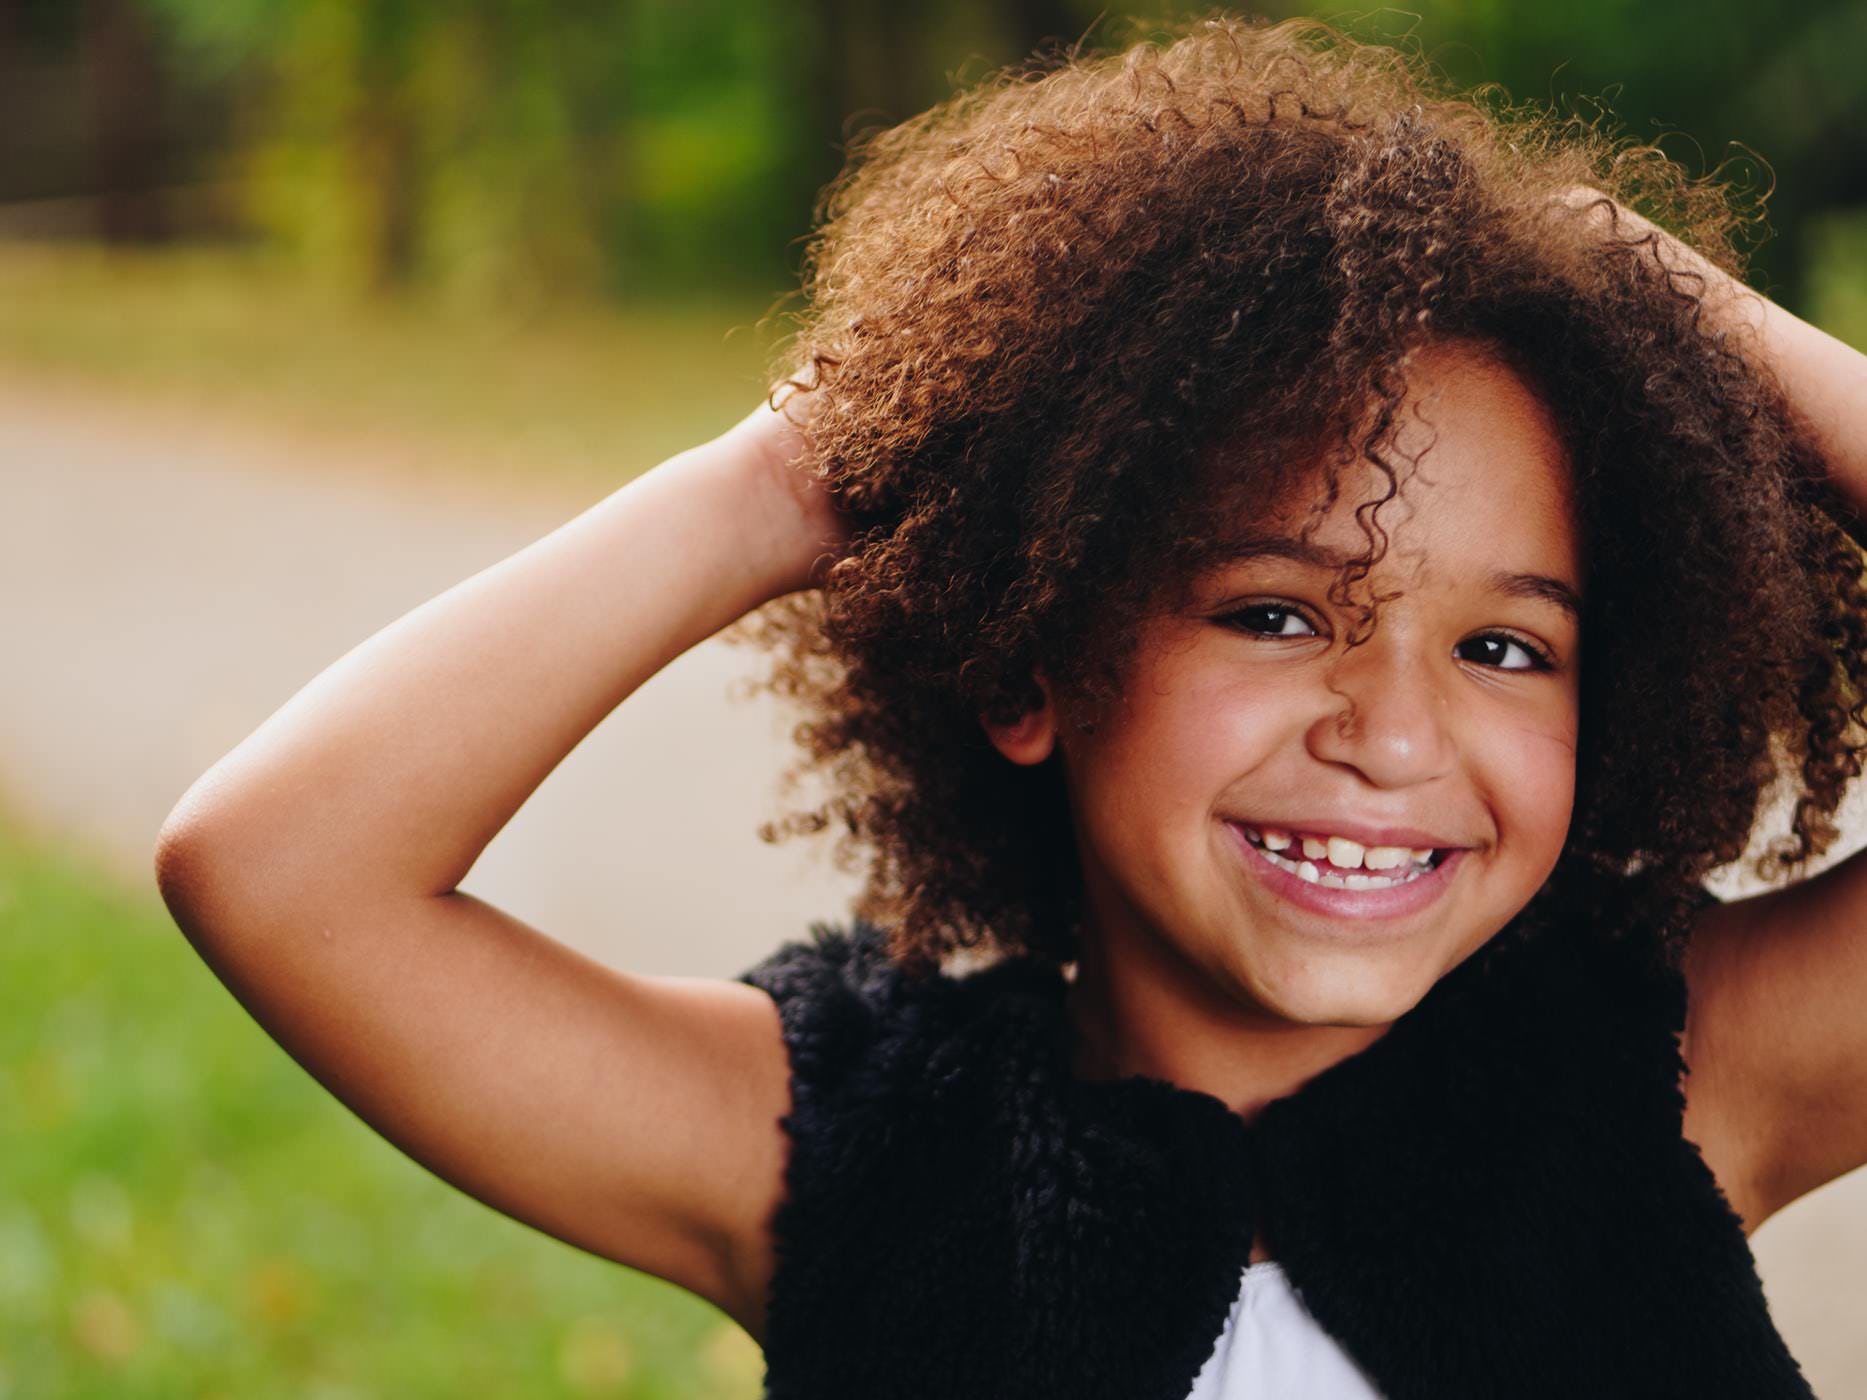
<point>316,867</point>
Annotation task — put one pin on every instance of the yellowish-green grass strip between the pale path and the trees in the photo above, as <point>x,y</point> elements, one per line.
<point>595,395</point>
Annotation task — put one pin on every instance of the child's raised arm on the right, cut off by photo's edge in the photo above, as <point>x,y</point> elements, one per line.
<point>1776,1031</point>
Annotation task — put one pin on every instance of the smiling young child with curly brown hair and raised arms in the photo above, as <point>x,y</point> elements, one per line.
<point>1297,585</point>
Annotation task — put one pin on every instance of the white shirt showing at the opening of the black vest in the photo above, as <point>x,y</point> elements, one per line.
<point>1272,1347</point>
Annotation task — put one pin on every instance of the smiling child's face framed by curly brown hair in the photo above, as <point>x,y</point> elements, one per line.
<point>1248,712</point>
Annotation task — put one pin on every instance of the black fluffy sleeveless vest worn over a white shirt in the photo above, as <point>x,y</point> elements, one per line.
<point>1495,1199</point>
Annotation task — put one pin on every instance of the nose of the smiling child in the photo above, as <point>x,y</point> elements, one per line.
<point>1386,716</point>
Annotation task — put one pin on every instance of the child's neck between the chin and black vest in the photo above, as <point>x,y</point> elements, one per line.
<point>1142,1009</point>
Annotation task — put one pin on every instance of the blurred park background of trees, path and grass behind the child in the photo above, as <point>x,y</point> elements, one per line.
<point>311,309</point>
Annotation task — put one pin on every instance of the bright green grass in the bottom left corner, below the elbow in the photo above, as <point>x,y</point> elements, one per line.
<point>184,1212</point>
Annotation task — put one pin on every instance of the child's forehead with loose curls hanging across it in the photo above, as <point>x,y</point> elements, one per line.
<point>1483,488</point>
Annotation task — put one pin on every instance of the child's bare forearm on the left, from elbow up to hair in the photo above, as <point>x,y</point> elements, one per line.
<point>395,768</point>
